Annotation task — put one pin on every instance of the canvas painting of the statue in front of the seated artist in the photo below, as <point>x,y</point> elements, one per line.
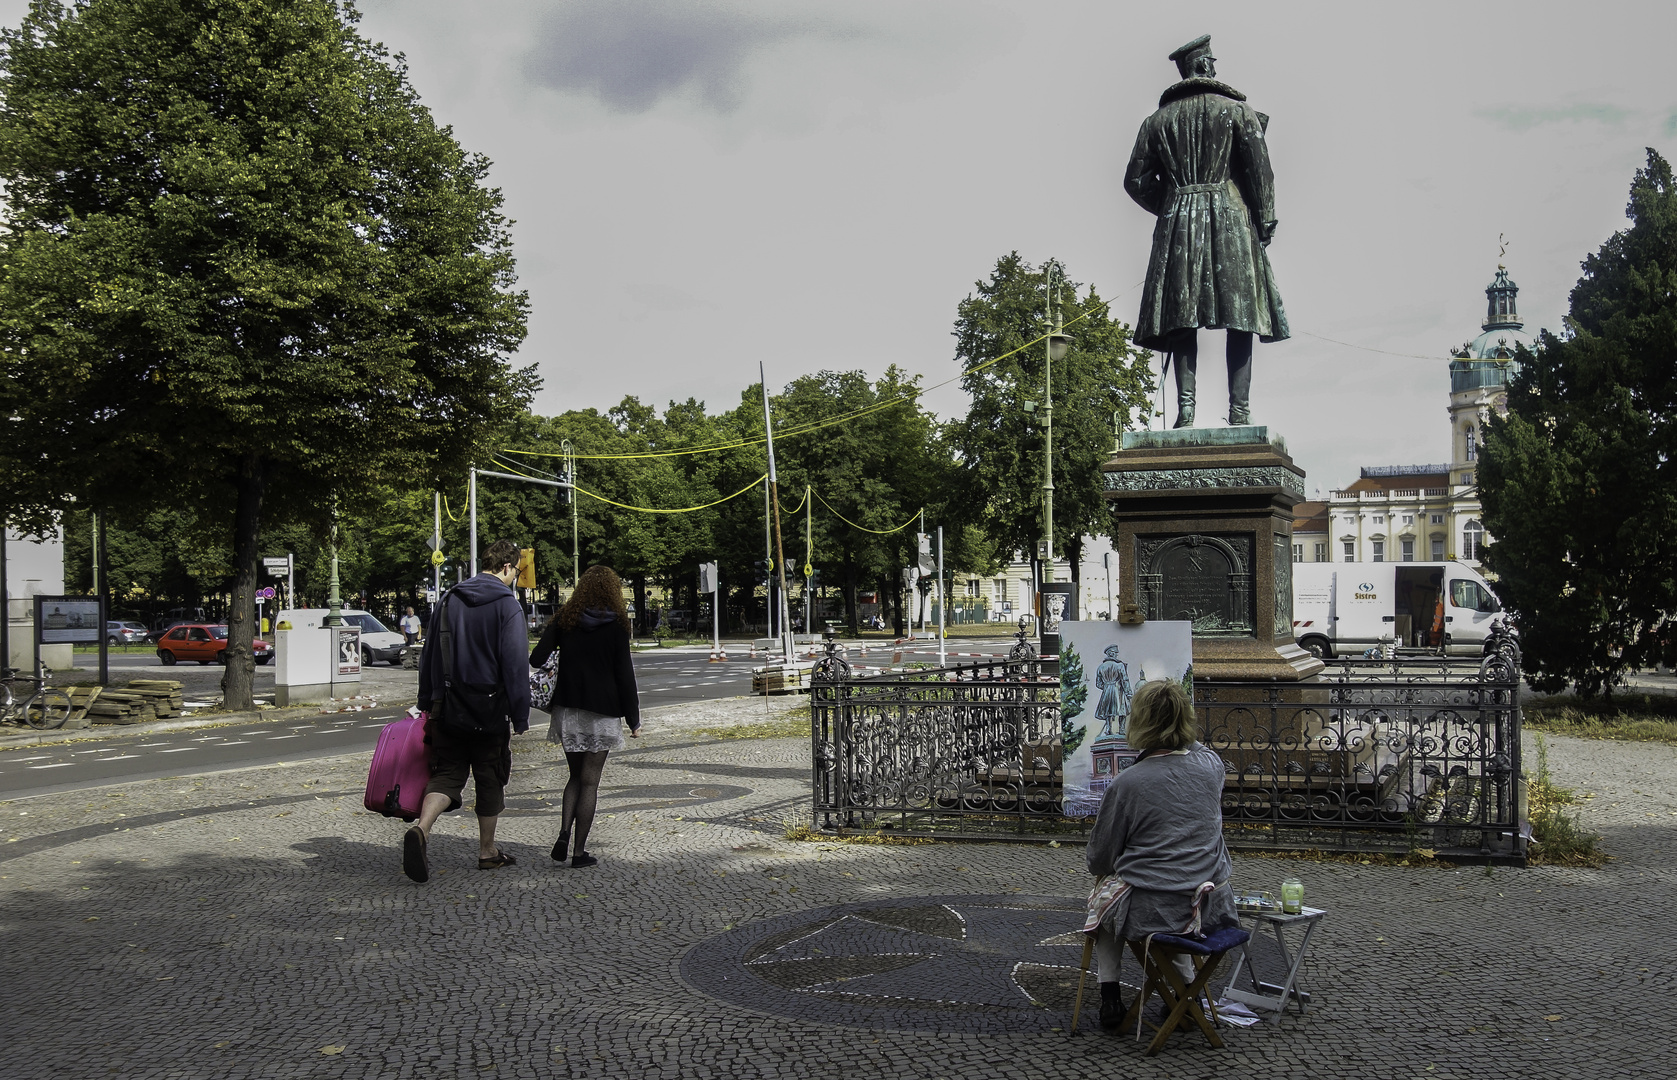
<point>1101,668</point>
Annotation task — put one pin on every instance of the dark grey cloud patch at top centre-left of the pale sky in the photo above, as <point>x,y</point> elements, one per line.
<point>635,53</point>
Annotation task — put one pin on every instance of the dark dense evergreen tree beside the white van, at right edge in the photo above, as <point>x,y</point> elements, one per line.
<point>1581,479</point>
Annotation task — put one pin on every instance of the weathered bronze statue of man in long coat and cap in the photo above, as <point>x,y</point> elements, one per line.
<point>1202,165</point>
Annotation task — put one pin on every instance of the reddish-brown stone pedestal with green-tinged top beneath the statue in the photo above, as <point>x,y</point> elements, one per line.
<point>1203,521</point>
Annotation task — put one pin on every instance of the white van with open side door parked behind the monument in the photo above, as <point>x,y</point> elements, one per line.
<point>1351,606</point>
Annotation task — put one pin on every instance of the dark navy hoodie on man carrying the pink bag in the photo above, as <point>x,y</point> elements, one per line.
<point>491,646</point>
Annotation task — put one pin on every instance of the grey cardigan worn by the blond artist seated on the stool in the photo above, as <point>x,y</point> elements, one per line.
<point>1161,831</point>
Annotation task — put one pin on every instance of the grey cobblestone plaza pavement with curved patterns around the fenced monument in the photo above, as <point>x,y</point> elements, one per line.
<point>257,925</point>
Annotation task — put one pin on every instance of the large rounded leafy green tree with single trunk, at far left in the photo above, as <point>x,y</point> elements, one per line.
<point>244,269</point>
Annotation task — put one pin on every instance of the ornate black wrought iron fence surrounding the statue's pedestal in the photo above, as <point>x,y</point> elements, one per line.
<point>1369,755</point>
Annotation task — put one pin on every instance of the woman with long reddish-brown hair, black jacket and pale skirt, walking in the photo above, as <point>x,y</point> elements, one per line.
<point>594,693</point>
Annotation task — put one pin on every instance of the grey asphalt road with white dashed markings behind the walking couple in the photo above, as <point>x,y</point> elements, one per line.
<point>665,677</point>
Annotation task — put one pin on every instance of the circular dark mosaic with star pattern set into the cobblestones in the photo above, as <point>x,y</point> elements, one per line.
<point>955,963</point>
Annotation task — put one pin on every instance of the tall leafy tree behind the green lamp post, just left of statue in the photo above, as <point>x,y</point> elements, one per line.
<point>1103,380</point>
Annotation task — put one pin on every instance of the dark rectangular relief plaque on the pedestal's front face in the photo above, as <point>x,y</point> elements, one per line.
<point>1202,579</point>
